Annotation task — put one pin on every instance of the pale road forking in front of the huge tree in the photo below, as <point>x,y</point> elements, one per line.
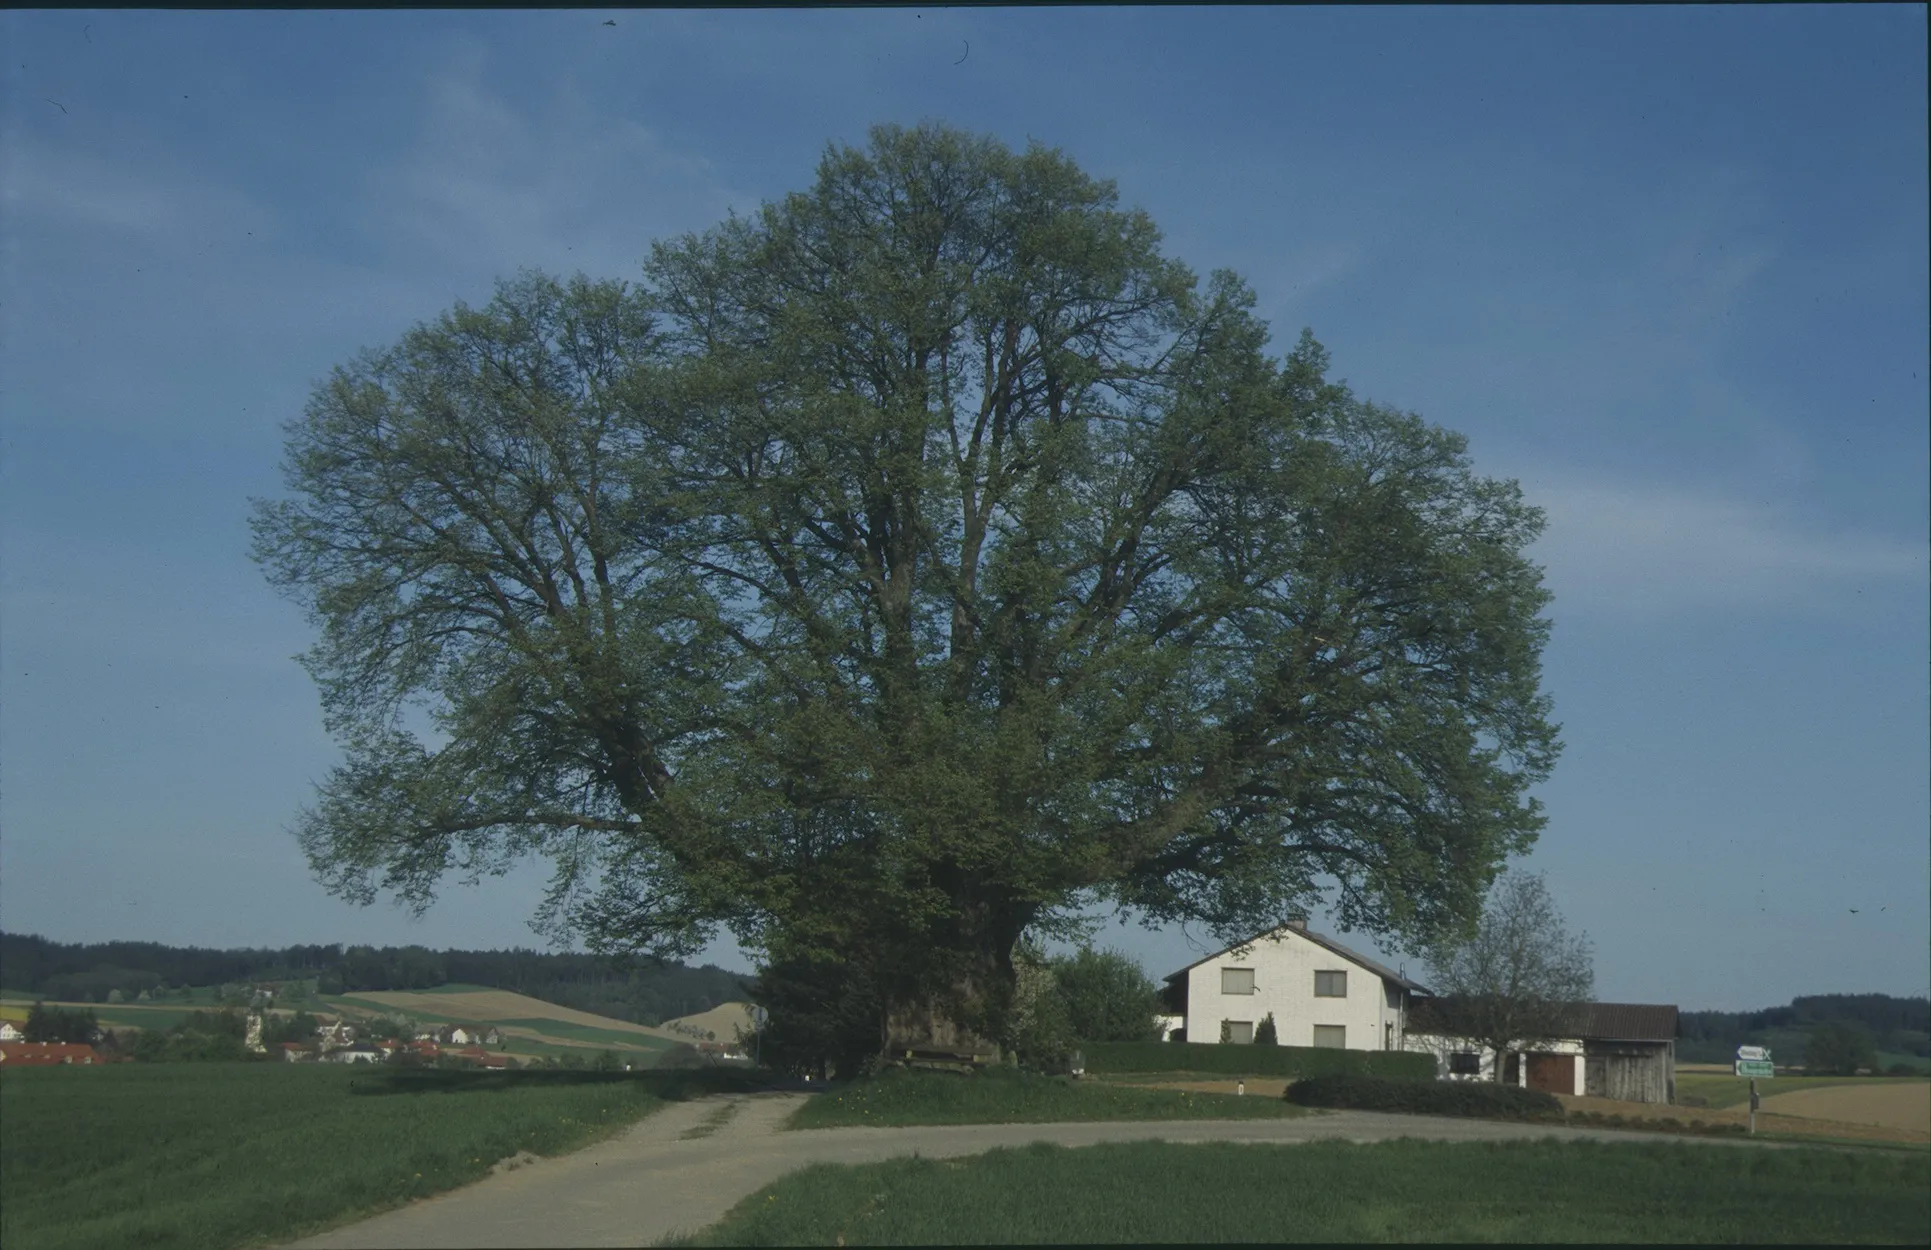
<point>656,1181</point>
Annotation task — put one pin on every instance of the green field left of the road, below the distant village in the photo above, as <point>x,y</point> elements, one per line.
<point>233,1154</point>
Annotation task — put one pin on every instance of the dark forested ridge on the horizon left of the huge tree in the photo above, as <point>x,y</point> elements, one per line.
<point>642,992</point>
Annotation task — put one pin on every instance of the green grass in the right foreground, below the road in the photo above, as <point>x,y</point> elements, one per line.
<point>1343,1193</point>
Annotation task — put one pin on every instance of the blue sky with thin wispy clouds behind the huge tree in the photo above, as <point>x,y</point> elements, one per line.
<point>1664,266</point>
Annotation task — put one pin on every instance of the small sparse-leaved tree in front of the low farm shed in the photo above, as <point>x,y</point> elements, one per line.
<point>1519,979</point>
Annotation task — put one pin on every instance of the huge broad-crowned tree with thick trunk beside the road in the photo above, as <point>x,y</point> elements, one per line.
<point>897,571</point>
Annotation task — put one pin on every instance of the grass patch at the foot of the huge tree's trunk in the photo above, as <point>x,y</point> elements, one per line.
<point>1003,1096</point>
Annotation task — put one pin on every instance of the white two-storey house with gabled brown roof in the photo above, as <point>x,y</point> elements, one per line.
<point>1318,990</point>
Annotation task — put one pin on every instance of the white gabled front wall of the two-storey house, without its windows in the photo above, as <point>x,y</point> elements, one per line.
<point>1285,984</point>
